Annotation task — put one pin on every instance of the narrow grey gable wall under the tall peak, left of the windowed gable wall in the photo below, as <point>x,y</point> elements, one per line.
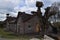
<point>20,26</point>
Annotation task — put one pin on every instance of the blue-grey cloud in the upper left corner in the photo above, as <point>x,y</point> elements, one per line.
<point>8,4</point>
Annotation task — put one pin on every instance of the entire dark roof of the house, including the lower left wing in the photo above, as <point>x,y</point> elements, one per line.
<point>25,17</point>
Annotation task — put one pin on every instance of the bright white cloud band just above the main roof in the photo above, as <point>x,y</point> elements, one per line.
<point>26,9</point>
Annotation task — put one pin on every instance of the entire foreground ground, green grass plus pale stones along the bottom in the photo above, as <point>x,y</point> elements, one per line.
<point>9,36</point>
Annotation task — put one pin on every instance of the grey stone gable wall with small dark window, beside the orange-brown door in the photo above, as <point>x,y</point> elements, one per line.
<point>30,25</point>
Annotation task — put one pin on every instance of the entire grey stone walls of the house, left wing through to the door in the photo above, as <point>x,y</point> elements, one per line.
<point>24,27</point>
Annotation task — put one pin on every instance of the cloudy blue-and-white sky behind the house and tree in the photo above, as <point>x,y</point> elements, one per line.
<point>13,6</point>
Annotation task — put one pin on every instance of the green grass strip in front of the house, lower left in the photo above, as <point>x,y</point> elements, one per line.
<point>4,34</point>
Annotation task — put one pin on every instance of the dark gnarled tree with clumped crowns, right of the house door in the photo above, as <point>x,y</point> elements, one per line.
<point>44,23</point>
